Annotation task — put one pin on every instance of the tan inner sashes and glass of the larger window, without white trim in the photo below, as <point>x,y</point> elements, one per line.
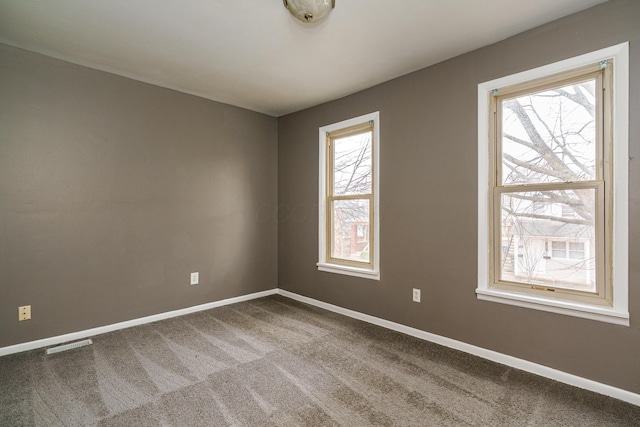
<point>550,145</point>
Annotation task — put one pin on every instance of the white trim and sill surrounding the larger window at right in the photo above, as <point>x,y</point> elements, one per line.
<point>619,312</point>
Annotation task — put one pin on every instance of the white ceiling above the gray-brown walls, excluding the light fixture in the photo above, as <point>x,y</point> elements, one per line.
<point>254,54</point>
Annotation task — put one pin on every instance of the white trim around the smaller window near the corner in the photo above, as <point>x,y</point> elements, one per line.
<point>322,264</point>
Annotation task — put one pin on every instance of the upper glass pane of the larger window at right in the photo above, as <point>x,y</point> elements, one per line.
<point>550,136</point>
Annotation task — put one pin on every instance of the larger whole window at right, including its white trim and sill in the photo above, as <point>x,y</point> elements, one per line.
<point>553,147</point>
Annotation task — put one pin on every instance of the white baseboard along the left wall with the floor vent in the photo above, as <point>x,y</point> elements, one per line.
<point>46,342</point>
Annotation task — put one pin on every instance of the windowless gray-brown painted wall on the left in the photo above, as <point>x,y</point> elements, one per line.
<point>113,191</point>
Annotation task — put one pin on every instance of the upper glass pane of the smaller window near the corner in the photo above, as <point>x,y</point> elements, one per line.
<point>352,164</point>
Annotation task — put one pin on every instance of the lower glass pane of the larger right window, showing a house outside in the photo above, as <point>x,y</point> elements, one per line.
<point>527,229</point>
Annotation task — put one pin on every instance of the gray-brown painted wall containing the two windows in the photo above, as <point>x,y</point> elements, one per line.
<point>429,204</point>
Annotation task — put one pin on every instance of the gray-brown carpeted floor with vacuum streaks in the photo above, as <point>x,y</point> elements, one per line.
<point>277,362</point>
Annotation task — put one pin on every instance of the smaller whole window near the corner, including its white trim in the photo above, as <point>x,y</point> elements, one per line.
<point>348,213</point>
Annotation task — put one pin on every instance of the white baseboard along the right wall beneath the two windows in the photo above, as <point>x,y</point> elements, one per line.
<point>504,359</point>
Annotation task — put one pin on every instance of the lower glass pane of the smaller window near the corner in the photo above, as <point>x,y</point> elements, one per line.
<point>350,220</point>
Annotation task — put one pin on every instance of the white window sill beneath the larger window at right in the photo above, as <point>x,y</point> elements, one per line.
<point>602,314</point>
